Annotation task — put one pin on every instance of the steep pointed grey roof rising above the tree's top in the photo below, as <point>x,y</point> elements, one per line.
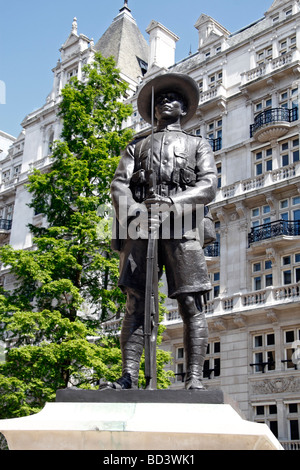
<point>124,41</point>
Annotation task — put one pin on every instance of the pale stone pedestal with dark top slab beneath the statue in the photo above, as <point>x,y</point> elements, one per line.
<point>137,420</point>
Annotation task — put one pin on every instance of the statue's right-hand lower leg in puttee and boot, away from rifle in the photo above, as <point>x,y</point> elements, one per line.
<point>195,337</point>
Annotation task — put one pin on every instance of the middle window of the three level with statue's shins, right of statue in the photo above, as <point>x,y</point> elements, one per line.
<point>263,352</point>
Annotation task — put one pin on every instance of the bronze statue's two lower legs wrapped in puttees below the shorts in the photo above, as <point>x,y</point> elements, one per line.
<point>195,337</point>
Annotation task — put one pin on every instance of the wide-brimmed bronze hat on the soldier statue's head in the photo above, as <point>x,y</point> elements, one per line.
<point>166,83</point>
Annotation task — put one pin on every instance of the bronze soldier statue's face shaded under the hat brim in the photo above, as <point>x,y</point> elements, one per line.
<point>169,106</point>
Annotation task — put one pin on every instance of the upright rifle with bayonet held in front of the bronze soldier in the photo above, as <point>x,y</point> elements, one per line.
<point>151,292</point>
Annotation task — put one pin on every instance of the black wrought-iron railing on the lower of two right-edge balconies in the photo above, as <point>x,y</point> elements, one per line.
<point>274,229</point>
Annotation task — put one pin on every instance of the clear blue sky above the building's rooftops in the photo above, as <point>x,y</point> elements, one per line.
<point>32,31</point>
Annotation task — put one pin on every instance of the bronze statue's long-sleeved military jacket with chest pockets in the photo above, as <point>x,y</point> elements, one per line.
<point>185,171</point>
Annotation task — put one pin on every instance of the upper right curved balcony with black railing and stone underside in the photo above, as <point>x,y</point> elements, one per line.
<point>272,123</point>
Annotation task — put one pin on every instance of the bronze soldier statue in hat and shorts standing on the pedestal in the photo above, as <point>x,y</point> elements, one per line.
<point>175,172</point>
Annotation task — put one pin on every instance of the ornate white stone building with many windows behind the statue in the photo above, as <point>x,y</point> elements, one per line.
<point>248,109</point>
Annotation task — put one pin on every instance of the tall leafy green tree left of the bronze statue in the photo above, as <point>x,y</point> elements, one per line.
<point>66,285</point>
